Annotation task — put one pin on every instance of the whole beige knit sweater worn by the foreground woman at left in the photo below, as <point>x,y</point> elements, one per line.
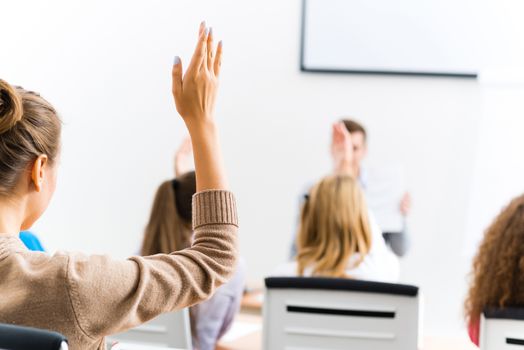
<point>89,297</point>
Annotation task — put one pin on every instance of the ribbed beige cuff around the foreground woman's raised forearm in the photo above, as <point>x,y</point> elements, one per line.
<point>214,207</point>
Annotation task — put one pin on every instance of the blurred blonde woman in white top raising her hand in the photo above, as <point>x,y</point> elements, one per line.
<point>337,236</point>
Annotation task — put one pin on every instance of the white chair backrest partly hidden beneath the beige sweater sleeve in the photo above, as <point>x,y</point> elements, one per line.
<point>168,330</point>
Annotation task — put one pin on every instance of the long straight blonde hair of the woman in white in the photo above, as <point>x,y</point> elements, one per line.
<point>334,226</point>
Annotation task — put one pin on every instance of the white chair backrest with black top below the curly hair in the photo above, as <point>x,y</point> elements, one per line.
<point>502,329</point>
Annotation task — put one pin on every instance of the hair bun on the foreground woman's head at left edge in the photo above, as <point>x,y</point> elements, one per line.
<point>11,107</point>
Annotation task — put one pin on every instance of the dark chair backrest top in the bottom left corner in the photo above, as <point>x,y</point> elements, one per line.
<point>27,338</point>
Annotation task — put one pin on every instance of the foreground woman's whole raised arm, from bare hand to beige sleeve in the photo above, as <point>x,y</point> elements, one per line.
<point>109,296</point>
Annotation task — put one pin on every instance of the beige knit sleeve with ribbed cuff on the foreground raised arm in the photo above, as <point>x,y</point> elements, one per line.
<point>110,296</point>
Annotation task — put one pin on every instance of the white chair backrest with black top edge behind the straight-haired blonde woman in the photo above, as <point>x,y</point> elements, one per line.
<point>334,313</point>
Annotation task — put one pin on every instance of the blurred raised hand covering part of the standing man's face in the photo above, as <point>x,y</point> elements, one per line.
<point>342,150</point>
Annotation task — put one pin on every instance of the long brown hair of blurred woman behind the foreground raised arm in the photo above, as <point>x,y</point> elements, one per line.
<point>169,226</point>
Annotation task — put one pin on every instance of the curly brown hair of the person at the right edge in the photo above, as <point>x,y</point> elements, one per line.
<point>498,268</point>
